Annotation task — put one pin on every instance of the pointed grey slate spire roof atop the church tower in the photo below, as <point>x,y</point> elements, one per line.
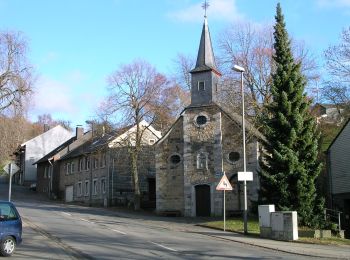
<point>205,57</point>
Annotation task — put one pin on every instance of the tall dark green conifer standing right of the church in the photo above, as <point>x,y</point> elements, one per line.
<point>289,165</point>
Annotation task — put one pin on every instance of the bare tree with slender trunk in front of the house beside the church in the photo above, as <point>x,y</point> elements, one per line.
<point>133,90</point>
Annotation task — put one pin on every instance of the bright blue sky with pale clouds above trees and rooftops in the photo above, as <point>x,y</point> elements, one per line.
<point>75,44</point>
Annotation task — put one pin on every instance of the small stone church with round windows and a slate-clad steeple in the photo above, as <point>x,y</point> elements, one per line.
<point>204,142</point>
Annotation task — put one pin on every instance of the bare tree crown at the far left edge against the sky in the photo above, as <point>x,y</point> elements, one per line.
<point>15,73</point>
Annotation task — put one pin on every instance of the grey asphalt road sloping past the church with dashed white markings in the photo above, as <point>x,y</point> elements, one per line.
<point>59,231</point>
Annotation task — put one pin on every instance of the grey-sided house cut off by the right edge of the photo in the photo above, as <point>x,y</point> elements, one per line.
<point>338,164</point>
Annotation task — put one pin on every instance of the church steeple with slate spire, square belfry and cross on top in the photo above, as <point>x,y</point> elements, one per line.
<point>205,76</point>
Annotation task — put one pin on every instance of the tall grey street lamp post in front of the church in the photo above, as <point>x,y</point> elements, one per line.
<point>241,70</point>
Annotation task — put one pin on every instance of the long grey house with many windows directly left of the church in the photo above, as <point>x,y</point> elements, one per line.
<point>98,172</point>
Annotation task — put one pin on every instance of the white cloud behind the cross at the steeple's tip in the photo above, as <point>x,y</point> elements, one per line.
<point>218,10</point>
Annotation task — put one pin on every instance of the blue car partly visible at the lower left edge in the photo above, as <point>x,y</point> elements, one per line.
<point>10,228</point>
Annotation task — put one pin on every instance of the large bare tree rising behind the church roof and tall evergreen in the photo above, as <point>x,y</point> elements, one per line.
<point>252,48</point>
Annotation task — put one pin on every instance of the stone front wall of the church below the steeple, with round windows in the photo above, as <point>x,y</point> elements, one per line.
<point>206,148</point>
